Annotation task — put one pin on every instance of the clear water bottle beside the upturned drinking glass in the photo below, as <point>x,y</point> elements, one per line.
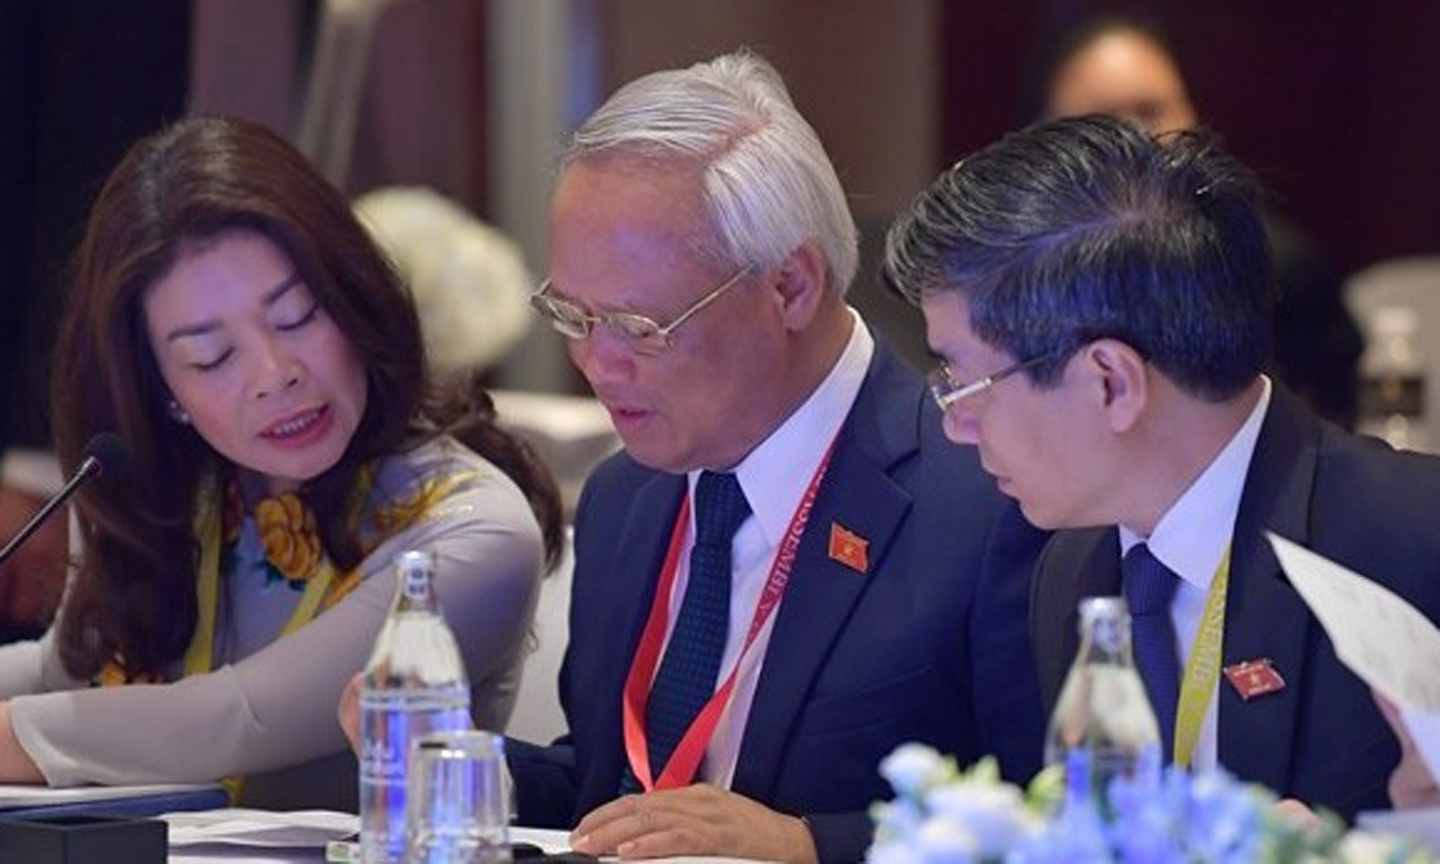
<point>415,683</point>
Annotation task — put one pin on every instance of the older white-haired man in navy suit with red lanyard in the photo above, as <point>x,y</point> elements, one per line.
<point>787,572</point>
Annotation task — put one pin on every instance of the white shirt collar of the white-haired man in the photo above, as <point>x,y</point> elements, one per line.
<point>775,474</point>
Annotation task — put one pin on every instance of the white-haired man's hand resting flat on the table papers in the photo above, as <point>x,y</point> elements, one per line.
<point>699,820</point>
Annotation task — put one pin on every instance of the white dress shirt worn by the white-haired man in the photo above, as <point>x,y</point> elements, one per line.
<point>774,479</point>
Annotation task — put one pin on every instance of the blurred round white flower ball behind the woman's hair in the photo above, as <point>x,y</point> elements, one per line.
<point>470,282</point>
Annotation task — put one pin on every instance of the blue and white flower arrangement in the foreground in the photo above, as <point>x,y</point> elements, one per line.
<point>947,816</point>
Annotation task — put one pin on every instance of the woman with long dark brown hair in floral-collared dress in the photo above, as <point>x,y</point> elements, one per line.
<point>238,329</point>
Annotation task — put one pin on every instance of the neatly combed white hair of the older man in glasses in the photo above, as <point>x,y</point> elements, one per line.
<point>770,186</point>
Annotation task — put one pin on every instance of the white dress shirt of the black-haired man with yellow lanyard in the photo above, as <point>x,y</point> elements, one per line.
<point>1192,539</point>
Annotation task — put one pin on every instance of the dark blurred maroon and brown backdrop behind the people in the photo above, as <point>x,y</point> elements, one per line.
<point>1336,104</point>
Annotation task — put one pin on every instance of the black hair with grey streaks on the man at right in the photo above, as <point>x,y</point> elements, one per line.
<point>1086,228</point>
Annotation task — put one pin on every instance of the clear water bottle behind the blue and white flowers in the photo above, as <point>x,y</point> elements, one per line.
<point>1104,726</point>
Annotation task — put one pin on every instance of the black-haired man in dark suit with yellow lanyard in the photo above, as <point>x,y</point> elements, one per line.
<point>1102,303</point>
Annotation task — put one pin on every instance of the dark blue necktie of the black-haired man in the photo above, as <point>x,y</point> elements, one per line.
<point>1150,587</point>
